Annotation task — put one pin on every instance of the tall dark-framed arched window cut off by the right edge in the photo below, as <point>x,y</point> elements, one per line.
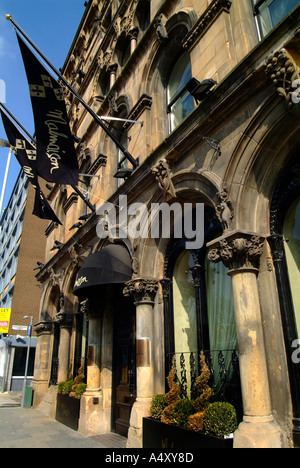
<point>285,244</point>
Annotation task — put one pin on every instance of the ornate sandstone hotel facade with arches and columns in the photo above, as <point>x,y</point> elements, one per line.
<point>127,306</point>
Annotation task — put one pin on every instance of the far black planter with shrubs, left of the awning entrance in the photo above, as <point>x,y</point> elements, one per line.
<point>68,400</point>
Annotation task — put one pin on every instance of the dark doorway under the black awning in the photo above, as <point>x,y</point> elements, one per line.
<point>124,362</point>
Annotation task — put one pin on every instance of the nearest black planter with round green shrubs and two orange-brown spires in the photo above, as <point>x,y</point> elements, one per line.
<point>185,423</point>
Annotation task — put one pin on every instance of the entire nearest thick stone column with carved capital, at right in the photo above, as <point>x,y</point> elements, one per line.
<point>241,253</point>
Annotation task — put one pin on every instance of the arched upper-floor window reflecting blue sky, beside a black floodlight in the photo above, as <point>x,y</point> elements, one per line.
<point>180,101</point>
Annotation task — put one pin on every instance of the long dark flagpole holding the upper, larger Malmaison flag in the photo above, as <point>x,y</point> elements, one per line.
<point>85,105</point>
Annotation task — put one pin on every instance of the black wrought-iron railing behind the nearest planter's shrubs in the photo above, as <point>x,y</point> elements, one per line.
<point>224,369</point>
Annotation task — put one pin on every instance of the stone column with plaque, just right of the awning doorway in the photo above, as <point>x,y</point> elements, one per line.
<point>144,292</point>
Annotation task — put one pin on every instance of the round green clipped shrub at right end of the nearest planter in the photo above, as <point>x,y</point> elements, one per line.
<point>220,419</point>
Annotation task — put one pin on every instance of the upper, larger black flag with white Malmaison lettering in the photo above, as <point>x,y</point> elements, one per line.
<point>56,155</point>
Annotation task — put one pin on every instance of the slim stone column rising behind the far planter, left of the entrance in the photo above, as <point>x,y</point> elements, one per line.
<point>66,323</point>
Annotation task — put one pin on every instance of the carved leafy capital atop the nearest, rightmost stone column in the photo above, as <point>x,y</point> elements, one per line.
<point>238,251</point>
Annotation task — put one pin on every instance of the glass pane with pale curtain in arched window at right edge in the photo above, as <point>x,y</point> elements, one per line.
<point>291,232</point>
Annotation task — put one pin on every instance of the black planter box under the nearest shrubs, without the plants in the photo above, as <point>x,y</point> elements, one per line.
<point>159,435</point>
